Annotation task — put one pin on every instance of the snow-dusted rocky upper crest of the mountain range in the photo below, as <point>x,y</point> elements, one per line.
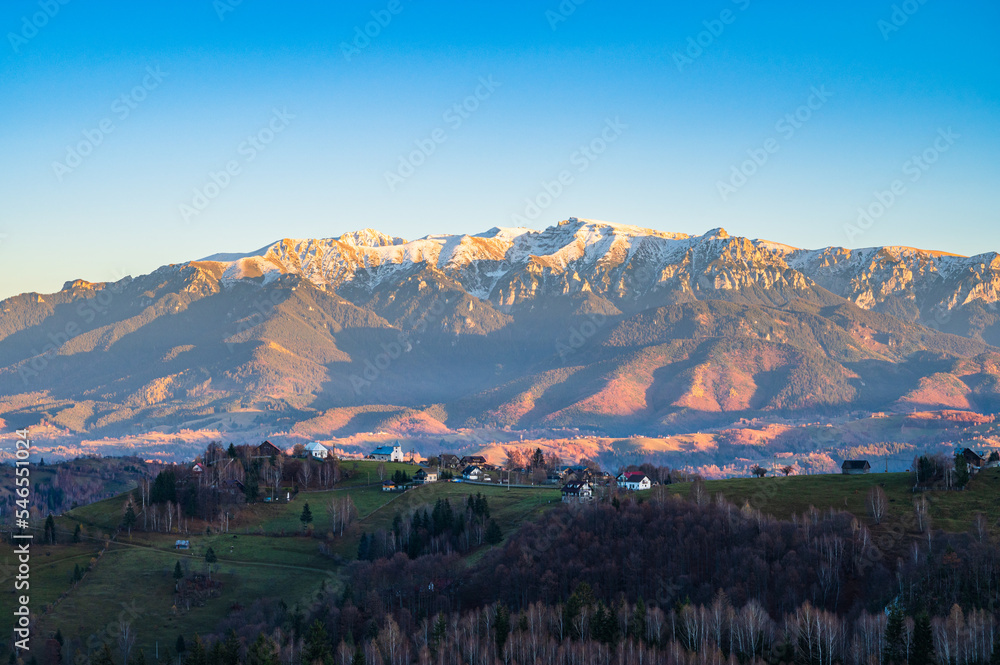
<point>621,262</point>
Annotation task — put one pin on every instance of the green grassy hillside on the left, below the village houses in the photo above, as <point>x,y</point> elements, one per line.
<point>134,575</point>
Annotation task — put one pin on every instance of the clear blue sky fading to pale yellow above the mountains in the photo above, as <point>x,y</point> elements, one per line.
<point>116,115</point>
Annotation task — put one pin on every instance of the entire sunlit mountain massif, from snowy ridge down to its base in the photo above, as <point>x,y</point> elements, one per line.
<point>587,323</point>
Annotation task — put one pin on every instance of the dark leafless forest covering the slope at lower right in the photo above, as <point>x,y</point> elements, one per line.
<point>660,578</point>
